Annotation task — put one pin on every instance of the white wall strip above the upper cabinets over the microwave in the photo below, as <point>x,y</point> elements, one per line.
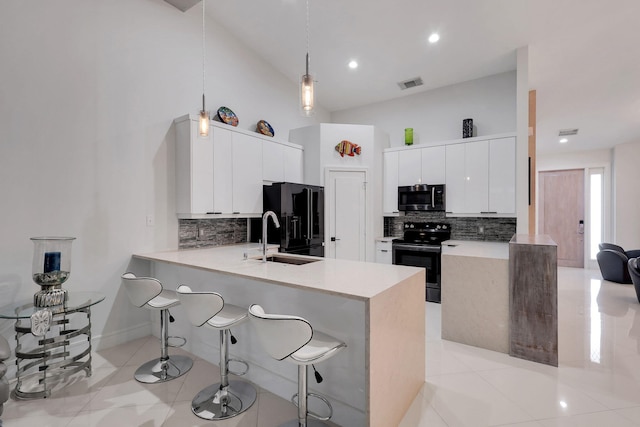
<point>436,115</point>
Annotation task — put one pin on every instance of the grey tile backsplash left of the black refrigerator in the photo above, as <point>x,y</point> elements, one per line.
<point>200,233</point>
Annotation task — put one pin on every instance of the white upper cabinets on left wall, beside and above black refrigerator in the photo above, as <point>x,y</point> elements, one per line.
<point>222,175</point>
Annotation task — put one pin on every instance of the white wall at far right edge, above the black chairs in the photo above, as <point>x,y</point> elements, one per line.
<point>626,196</point>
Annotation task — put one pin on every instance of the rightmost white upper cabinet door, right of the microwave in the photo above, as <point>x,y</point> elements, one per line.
<point>502,175</point>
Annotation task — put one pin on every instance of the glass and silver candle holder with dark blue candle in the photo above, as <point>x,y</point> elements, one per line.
<point>51,268</point>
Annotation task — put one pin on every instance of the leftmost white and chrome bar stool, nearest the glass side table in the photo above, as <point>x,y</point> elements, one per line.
<point>148,292</point>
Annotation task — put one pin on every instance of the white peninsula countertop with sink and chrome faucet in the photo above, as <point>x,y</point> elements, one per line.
<point>351,279</point>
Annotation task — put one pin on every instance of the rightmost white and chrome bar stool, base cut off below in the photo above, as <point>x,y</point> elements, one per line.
<point>293,339</point>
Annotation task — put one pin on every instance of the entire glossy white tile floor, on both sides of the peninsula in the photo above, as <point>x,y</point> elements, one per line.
<point>596,384</point>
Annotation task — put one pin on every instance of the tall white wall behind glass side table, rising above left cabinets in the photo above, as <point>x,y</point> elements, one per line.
<point>88,93</point>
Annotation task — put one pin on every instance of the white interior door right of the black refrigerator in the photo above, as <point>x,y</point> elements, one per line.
<point>346,194</point>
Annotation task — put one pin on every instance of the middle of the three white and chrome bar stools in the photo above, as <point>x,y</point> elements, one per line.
<point>225,399</point>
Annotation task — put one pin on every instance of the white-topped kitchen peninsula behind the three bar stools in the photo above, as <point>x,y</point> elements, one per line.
<point>377,309</point>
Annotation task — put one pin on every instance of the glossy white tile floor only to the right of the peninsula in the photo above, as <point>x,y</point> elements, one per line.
<point>597,382</point>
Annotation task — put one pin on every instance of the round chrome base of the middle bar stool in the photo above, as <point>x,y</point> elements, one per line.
<point>211,403</point>
